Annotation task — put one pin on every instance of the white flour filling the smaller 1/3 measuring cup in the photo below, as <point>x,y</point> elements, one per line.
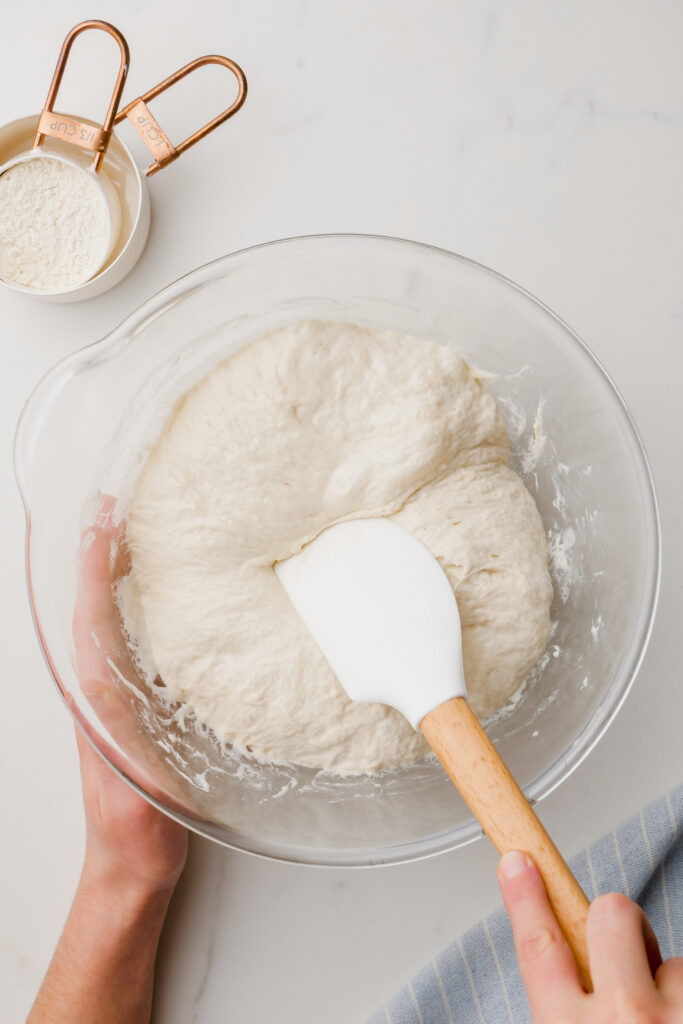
<point>55,225</point>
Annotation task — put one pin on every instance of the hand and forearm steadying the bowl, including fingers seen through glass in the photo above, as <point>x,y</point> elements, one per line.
<point>103,968</point>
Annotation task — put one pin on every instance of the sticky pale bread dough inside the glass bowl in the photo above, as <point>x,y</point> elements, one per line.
<point>312,424</point>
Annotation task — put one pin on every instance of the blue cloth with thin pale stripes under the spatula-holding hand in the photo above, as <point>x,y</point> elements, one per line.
<point>477,980</point>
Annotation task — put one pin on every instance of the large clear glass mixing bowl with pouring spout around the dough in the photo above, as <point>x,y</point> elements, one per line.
<point>89,424</point>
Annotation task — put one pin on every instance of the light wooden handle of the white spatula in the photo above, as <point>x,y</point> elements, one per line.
<point>492,794</point>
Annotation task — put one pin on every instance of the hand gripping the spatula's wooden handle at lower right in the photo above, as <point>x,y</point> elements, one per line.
<point>631,984</point>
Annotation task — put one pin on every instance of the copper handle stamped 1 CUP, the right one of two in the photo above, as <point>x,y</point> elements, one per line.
<point>151,132</point>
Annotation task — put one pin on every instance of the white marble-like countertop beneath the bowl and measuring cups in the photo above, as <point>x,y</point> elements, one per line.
<point>545,141</point>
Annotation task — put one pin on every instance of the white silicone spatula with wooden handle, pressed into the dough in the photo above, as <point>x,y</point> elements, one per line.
<point>386,617</point>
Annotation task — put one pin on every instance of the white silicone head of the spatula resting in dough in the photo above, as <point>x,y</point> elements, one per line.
<point>383,613</point>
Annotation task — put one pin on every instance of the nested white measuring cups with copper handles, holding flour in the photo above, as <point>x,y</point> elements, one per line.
<point>75,219</point>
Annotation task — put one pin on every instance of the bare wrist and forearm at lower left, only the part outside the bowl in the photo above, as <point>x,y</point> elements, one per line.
<point>103,968</point>
